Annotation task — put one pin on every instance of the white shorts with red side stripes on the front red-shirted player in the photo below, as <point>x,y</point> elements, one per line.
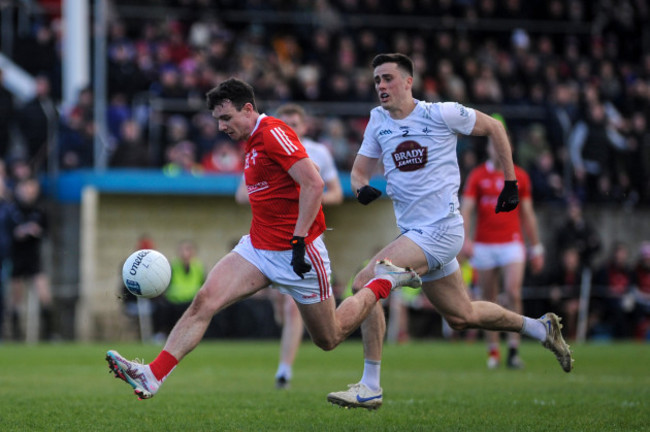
<point>276,265</point>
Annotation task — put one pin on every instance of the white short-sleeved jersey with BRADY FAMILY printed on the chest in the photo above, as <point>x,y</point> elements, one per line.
<point>420,161</point>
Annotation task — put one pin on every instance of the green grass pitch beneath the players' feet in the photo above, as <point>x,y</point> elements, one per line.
<point>228,386</point>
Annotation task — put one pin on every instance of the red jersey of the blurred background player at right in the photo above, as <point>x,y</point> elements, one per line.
<point>484,184</point>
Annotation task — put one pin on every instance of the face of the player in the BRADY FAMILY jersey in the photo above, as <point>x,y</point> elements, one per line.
<point>393,86</point>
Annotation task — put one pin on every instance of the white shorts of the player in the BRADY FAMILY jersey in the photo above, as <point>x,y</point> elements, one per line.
<point>440,243</point>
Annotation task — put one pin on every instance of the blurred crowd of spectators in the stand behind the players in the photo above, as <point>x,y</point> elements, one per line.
<point>572,79</point>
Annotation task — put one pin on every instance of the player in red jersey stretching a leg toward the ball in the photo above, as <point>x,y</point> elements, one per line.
<point>284,246</point>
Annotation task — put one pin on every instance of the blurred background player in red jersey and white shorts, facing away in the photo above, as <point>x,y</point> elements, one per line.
<point>498,249</point>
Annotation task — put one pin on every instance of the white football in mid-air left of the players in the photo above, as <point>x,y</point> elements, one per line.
<point>146,273</point>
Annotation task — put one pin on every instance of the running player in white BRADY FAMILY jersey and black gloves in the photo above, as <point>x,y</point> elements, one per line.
<point>416,142</point>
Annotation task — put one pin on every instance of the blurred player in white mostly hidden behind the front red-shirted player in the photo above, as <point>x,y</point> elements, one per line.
<point>286,311</point>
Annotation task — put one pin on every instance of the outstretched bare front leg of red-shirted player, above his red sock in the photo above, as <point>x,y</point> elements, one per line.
<point>232,279</point>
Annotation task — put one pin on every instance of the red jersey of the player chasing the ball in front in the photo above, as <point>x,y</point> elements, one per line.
<point>271,150</point>
